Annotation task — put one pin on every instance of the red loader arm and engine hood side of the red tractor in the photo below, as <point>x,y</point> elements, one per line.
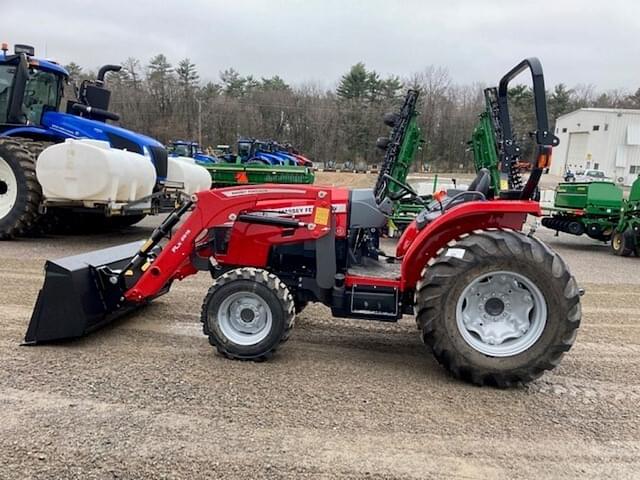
<point>227,208</point>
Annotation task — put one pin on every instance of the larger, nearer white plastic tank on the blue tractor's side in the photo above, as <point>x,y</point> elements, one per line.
<point>91,170</point>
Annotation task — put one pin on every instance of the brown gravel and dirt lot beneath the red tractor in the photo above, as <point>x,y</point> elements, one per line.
<point>149,398</point>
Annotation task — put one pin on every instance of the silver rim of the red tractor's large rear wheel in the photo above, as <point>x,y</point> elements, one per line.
<point>501,314</point>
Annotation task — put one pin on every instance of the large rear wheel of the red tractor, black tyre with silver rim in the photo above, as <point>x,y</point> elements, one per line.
<point>498,308</point>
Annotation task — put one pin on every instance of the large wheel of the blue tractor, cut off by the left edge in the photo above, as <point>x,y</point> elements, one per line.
<point>20,192</point>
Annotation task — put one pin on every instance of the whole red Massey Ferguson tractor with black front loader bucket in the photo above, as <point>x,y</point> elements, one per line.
<point>496,306</point>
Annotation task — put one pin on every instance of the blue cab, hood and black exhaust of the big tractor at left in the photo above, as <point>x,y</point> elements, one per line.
<point>31,91</point>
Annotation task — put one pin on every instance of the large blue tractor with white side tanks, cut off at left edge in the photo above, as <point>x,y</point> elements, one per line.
<point>48,158</point>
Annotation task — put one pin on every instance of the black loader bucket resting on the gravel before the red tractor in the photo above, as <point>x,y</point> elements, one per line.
<point>74,300</point>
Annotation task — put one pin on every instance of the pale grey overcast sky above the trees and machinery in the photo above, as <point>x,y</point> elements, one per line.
<point>587,42</point>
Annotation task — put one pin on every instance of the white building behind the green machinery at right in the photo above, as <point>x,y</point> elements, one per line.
<point>601,138</point>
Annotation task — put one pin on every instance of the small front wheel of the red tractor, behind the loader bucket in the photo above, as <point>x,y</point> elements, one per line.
<point>247,314</point>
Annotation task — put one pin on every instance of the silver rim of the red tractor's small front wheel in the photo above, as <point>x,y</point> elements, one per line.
<point>245,318</point>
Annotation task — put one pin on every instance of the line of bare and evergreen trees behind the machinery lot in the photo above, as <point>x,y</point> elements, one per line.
<point>331,126</point>
